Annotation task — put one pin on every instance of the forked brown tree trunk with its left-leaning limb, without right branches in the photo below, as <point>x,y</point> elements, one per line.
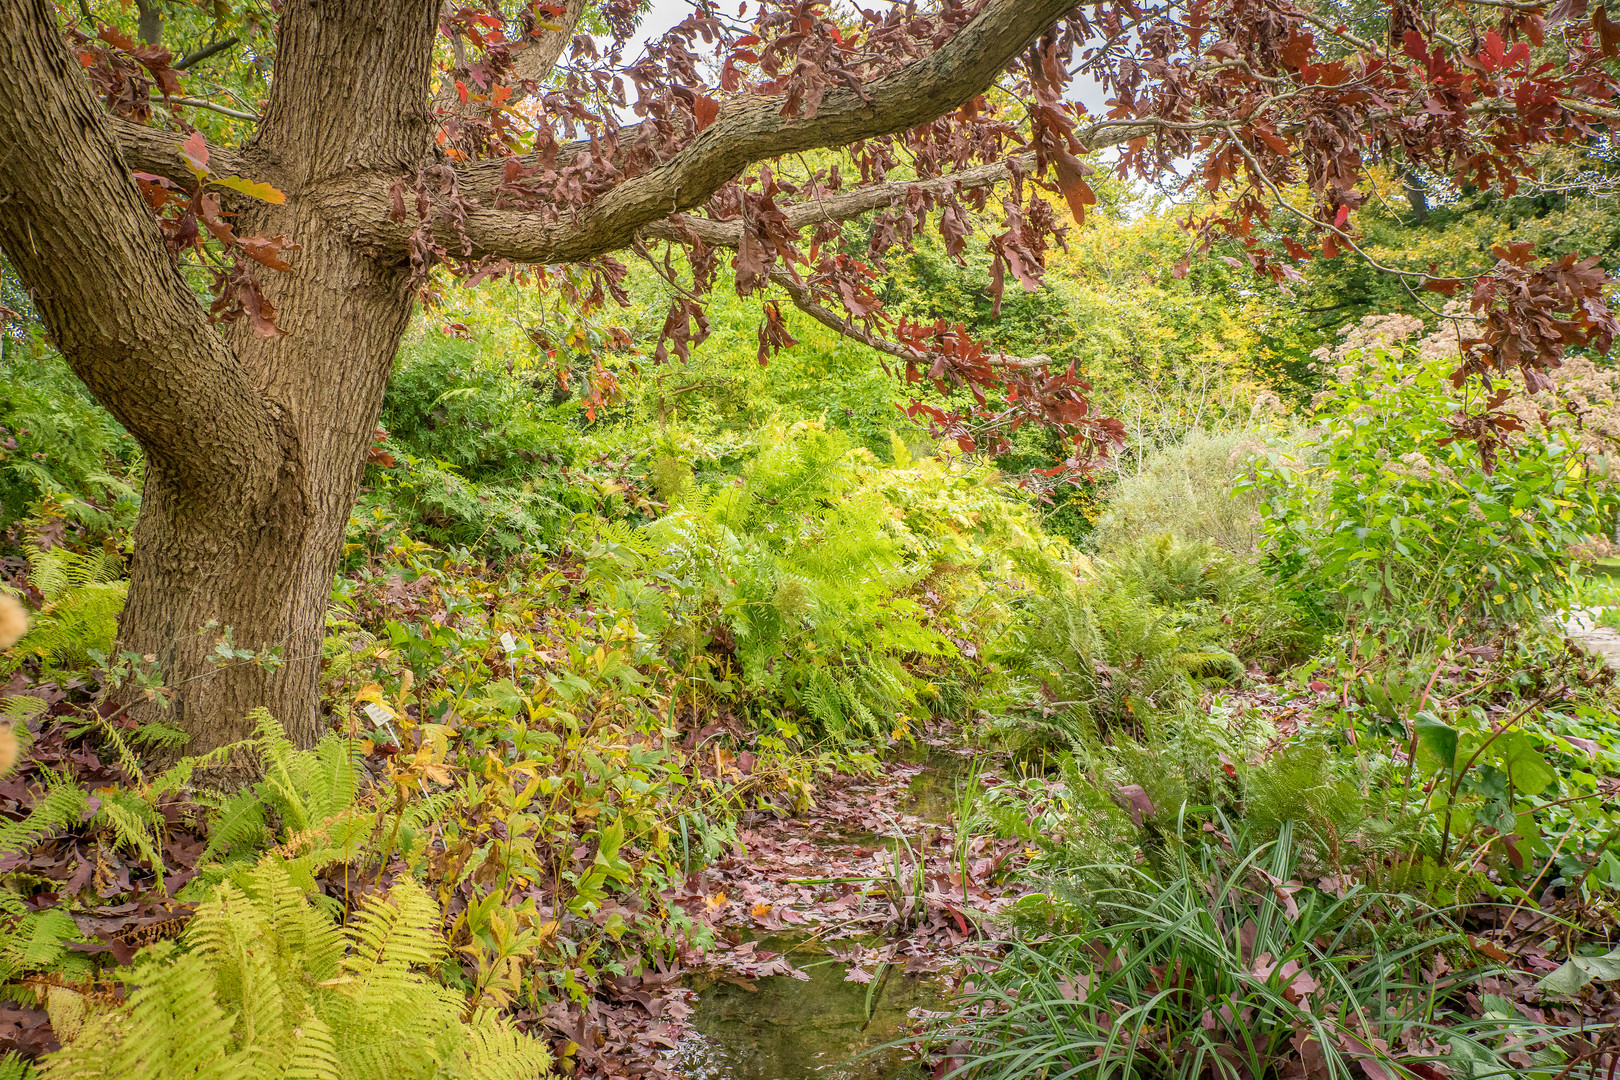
<point>255,446</point>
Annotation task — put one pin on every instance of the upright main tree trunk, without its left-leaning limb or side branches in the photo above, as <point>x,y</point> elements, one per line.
<point>349,98</point>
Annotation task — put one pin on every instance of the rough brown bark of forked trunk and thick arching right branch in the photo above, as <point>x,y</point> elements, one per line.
<point>257,446</point>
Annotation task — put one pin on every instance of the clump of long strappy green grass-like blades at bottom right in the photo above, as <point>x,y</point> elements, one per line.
<point>1230,967</point>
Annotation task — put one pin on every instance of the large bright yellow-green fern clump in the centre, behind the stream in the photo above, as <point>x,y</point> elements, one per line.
<point>822,582</point>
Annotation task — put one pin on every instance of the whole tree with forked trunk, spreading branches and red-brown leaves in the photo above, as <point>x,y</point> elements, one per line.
<point>317,168</point>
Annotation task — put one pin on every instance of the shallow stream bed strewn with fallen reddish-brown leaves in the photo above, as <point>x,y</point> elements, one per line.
<point>833,950</point>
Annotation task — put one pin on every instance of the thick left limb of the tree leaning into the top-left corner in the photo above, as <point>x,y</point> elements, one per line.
<point>122,315</point>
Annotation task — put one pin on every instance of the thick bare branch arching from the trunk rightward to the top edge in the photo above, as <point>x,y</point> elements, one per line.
<point>748,134</point>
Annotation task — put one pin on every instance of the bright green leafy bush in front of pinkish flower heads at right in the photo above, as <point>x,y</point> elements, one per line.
<point>1397,516</point>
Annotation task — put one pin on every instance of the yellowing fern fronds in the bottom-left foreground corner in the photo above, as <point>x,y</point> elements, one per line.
<point>266,985</point>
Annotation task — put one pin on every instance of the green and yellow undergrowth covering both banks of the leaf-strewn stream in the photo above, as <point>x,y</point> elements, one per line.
<point>1311,783</point>
